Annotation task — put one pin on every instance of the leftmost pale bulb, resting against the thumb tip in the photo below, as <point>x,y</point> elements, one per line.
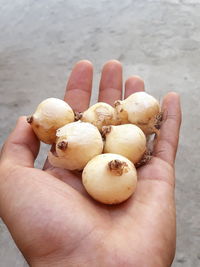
<point>50,115</point>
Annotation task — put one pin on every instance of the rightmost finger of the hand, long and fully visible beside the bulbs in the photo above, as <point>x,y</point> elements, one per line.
<point>167,142</point>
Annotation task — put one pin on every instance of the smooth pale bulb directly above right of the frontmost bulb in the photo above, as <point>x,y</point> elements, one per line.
<point>127,140</point>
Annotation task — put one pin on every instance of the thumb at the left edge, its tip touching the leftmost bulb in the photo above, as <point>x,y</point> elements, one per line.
<point>22,146</point>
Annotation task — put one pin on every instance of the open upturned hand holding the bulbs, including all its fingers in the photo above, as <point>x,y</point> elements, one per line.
<point>52,219</point>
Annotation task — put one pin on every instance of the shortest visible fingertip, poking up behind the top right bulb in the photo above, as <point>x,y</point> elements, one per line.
<point>133,84</point>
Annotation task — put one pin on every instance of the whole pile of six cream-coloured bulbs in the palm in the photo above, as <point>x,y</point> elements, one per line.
<point>105,142</point>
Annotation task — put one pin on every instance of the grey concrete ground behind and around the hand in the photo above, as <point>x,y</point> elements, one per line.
<point>156,39</point>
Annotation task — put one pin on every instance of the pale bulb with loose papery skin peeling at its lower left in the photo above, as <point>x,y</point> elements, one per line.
<point>76,144</point>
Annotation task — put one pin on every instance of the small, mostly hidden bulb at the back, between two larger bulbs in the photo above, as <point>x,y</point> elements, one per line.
<point>100,114</point>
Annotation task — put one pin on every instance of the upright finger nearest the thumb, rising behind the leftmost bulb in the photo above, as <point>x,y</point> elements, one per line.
<point>79,86</point>
